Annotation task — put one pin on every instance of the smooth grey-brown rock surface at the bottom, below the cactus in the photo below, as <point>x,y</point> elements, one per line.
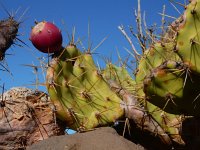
<point>104,138</point>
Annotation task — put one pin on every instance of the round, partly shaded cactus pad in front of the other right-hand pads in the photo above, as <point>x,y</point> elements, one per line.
<point>173,89</point>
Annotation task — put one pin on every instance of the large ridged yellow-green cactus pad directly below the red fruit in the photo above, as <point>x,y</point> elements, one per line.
<point>82,97</point>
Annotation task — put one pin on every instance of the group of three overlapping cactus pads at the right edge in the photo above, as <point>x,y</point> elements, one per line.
<point>168,72</point>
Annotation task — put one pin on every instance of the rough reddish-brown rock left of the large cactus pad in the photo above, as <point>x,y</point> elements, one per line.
<point>26,117</point>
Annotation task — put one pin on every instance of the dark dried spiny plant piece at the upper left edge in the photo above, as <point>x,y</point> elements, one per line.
<point>9,35</point>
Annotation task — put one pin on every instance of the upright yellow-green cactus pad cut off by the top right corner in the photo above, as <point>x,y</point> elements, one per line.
<point>188,37</point>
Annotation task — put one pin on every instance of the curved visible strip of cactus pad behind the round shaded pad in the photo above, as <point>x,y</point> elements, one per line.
<point>153,57</point>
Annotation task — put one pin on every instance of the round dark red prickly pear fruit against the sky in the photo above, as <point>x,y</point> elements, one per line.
<point>46,37</point>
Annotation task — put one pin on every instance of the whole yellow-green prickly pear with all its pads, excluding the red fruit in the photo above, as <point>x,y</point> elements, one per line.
<point>165,88</point>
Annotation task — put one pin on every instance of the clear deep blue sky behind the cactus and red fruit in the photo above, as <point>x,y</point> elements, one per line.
<point>103,16</point>
